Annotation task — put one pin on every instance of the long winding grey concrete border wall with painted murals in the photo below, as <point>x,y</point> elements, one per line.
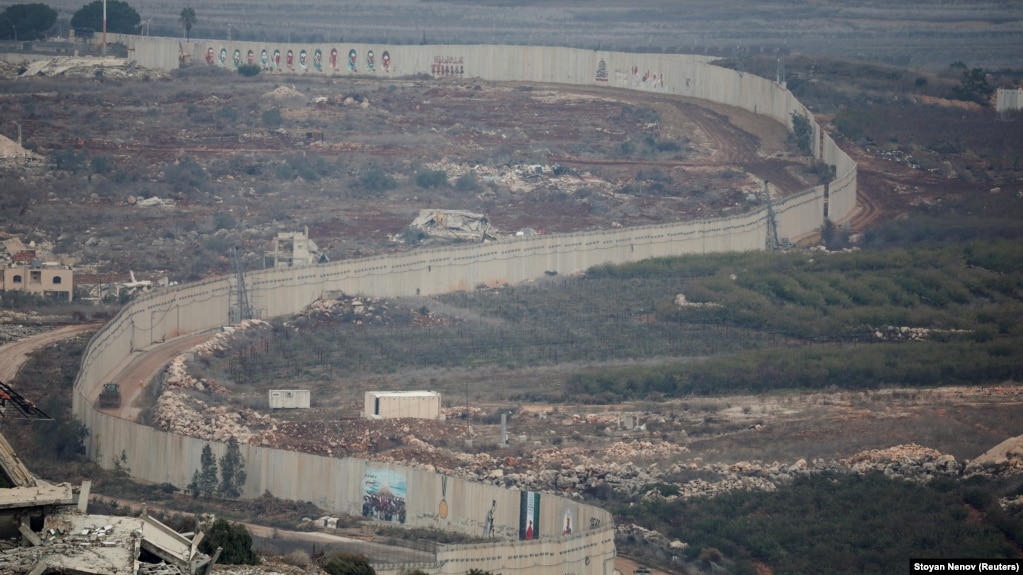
<point>339,485</point>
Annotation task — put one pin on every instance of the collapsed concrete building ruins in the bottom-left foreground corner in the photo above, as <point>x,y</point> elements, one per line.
<point>47,529</point>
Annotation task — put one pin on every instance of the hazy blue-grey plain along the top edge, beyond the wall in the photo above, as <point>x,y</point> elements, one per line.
<point>927,34</point>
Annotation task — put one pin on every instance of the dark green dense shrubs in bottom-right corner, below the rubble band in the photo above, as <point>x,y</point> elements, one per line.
<point>852,524</point>
